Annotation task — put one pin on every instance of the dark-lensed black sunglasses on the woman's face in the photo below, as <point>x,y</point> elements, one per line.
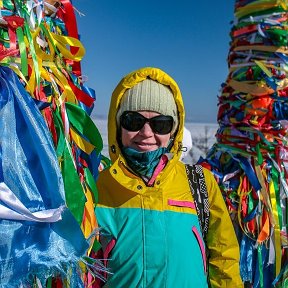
<point>134,121</point>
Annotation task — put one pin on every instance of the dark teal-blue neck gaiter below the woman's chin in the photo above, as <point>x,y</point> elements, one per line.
<point>143,163</point>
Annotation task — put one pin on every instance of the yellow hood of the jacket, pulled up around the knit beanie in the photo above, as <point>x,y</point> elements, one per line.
<point>131,80</point>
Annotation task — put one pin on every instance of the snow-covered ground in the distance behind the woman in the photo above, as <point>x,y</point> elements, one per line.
<point>197,130</point>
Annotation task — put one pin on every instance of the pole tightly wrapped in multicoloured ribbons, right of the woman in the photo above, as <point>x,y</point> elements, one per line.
<point>251,152</point>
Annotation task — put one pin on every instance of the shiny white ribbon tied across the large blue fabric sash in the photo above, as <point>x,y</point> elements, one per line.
<point>14,209</point>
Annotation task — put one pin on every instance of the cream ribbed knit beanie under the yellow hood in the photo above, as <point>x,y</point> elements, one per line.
<point>149,95</point>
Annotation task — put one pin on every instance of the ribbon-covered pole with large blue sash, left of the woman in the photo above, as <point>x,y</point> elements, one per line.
<point>49,168</point>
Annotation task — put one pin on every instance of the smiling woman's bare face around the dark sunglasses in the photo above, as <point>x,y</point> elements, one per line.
<point>144,139</point>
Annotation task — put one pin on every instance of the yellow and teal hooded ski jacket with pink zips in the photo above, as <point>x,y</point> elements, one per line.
<point>151,236</point>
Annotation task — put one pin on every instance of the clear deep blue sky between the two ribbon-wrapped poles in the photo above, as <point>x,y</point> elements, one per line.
<point>188,39</point>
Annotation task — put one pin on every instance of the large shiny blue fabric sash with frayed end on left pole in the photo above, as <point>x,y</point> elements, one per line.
<point>30,171</point>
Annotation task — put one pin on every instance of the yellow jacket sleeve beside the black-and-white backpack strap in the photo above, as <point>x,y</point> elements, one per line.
<point>223,262</point>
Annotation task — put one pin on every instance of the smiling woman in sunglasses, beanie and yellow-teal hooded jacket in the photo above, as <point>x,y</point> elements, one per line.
<point>149,229</point>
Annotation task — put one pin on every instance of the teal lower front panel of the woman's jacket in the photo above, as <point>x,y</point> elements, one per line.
<point>151,248</point>
